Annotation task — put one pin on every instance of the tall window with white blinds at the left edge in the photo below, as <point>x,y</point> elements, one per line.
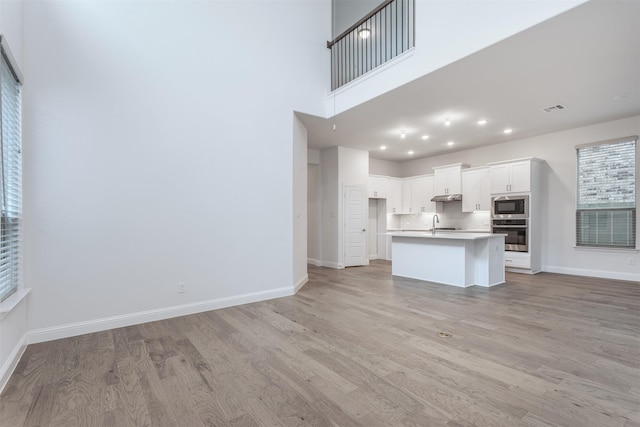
<point>11,176</point>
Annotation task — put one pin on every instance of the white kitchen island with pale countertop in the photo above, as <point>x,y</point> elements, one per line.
<point>458,259</point>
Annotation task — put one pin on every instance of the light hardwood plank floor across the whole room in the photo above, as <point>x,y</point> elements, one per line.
<point>355,347</point>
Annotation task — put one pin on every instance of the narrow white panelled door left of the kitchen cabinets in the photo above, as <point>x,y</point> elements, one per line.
<point>355,225</point>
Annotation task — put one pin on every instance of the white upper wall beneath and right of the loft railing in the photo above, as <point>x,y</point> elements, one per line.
<point>447,31</point>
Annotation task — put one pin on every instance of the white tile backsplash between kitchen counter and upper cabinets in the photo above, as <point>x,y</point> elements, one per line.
<point>450,216</point>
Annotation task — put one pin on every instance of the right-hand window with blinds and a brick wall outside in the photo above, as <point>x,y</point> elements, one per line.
<point>606,194</point>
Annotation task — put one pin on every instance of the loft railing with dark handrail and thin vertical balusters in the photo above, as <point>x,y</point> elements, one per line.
<point>386,32</point>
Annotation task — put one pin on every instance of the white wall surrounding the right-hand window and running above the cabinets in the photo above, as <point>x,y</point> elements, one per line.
<point>558,221</point>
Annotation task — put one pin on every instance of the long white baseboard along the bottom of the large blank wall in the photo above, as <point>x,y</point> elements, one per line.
<point>97,325</point>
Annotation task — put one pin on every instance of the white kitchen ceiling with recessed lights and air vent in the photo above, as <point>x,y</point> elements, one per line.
<point>587,59</point>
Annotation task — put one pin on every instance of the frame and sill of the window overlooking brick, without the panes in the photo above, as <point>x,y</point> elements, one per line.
<point>611,210</point>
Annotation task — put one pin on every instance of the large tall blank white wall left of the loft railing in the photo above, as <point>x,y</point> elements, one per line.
<point>159,149</point>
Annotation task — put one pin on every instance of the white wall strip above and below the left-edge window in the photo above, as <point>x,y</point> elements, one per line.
<point>14,324</point>
